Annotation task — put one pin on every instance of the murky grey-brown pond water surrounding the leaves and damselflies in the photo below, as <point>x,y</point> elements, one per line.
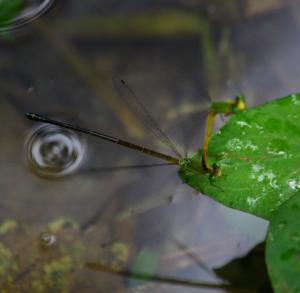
<point>172,53</point>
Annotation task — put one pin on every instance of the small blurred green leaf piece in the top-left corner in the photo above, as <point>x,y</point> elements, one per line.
<point>9,9</point>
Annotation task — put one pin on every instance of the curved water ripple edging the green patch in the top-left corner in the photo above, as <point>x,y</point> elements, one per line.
<point>22,12</point>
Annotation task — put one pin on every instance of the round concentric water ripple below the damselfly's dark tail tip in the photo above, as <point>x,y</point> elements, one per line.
<point>53,151</point>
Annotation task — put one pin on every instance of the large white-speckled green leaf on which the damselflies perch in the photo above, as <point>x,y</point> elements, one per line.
<point>258,153</point>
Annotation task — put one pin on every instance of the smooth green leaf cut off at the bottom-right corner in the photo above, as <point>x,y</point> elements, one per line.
<point>283,247</point>
